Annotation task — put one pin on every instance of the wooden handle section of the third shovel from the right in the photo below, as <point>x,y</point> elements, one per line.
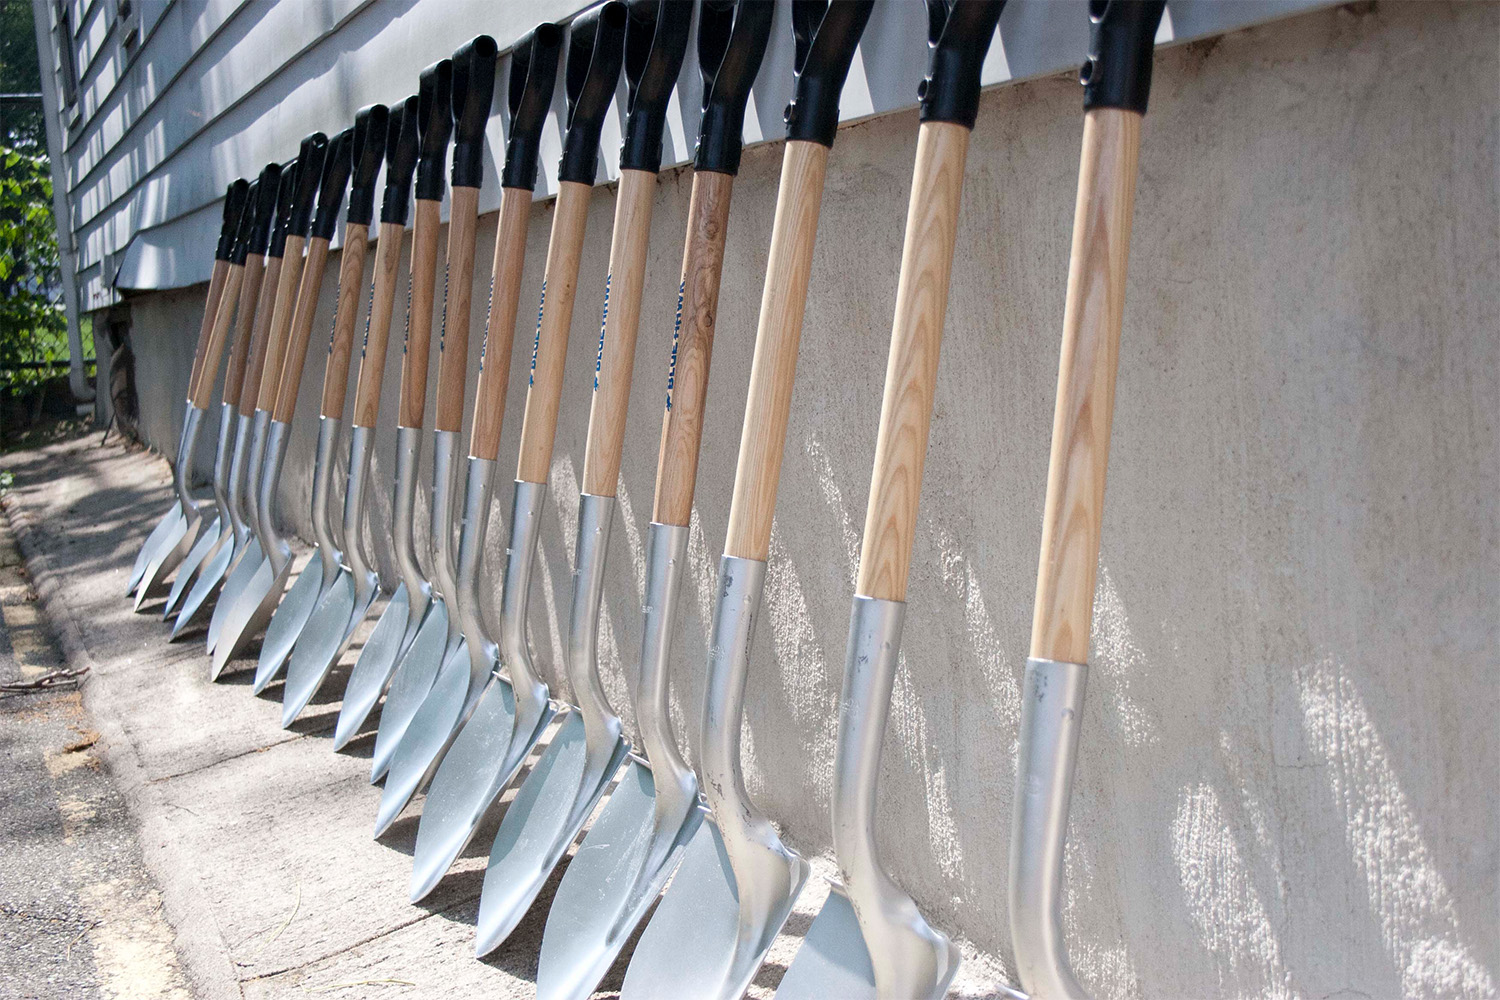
<point>773,373</point>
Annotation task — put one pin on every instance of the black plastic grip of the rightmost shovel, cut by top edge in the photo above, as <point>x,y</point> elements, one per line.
<point>1123,37</point>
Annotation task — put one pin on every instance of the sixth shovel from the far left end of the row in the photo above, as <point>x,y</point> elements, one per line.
<point>253,608</point>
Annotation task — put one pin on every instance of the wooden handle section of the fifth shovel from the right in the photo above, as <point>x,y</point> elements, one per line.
<point>616,362</point>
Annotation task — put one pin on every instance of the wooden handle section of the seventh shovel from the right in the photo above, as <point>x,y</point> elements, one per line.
<point>500,329</point>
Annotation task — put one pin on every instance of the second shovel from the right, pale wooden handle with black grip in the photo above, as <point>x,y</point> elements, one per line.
<point>871,941</point>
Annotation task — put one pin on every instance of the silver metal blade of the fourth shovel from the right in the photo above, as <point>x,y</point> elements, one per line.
<point>613,881</point>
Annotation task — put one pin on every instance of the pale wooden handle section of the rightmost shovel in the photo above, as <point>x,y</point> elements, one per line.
<point>1081,427</point>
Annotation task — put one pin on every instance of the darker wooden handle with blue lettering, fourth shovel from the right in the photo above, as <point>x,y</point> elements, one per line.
<point>692,349</point>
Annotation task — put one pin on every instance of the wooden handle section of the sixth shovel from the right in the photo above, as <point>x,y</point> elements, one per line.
<point>550,352</point>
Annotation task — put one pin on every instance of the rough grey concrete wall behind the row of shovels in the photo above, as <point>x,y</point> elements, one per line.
<point>1291,723</point>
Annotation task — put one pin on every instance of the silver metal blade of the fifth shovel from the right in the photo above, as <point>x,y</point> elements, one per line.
<point>541,824</point>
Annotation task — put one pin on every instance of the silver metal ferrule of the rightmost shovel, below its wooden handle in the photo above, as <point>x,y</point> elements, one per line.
<point>1052,711</point>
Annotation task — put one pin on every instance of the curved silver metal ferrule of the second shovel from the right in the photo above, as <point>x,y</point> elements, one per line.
<point>908,956</point>
